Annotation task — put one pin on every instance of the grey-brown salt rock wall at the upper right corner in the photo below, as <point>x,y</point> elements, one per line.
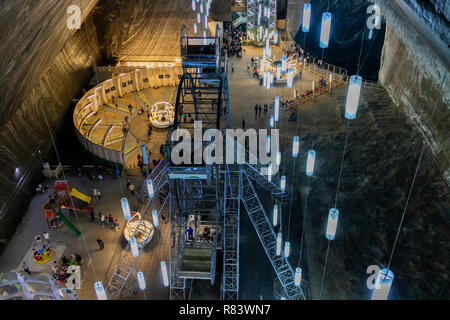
<point>414,71</point>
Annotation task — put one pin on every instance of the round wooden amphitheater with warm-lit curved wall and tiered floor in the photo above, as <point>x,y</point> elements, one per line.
<point>113,119</point>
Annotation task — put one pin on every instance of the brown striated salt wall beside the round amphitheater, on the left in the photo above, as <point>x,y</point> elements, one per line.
<point>44,65</point>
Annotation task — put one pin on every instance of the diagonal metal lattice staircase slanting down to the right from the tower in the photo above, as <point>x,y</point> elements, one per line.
<point>267,236</point>
